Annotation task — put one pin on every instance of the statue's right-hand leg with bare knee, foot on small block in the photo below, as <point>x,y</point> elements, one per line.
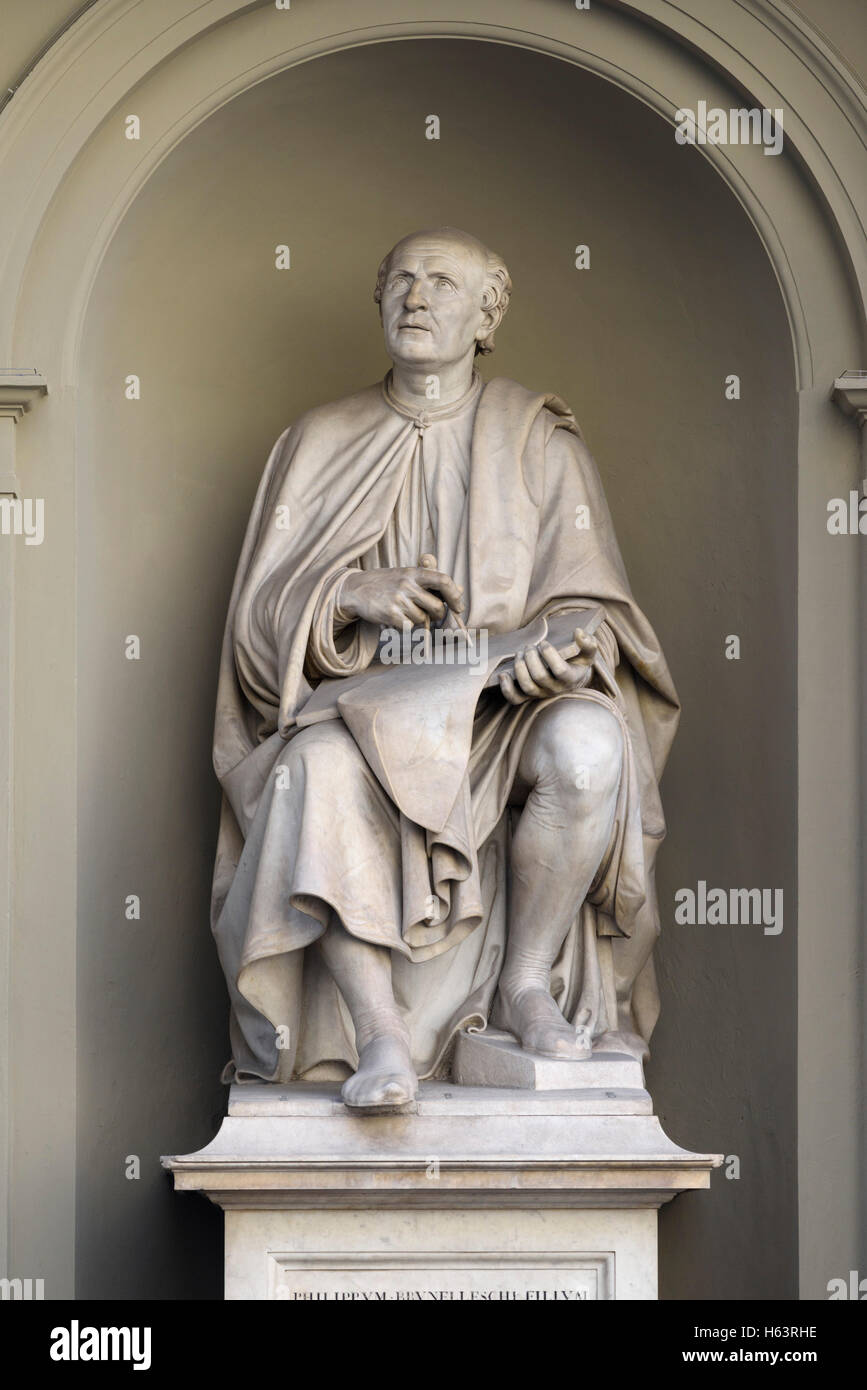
<point>570,775</point>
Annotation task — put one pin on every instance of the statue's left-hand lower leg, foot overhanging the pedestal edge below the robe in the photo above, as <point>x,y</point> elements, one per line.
<point>363,975</point>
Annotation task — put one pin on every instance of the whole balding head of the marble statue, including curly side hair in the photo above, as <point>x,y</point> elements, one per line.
<point>443,295</point>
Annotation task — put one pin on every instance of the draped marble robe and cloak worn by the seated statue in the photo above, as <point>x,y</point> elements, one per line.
<point>505,493</point>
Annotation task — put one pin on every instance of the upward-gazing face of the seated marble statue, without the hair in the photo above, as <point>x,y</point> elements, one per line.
<point>433,302</point>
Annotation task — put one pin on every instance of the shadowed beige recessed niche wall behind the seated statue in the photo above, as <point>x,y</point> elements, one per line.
<point>331,159</point>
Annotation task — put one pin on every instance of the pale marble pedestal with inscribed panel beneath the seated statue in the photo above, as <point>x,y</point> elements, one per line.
<point>476,1193</point>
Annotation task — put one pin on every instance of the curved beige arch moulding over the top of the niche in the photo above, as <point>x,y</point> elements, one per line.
<point>627,42</point>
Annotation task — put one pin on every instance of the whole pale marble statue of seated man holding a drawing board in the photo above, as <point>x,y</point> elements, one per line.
<point>472,849</point>
